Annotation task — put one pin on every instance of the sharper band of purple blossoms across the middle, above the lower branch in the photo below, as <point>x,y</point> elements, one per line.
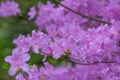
<point>93,45</point>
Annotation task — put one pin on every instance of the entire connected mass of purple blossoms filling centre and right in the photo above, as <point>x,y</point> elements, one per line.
<point>92,47</point>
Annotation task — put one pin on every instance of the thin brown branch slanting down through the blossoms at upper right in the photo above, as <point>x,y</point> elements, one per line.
<point>83,15</point>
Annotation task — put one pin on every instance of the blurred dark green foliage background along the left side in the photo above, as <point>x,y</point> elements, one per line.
<point>10,28</point>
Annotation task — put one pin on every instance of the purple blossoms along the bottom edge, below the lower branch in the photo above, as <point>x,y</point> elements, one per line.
<point>80,72</point>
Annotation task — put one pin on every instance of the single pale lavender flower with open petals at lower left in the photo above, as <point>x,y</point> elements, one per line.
<point>17,60</point>
